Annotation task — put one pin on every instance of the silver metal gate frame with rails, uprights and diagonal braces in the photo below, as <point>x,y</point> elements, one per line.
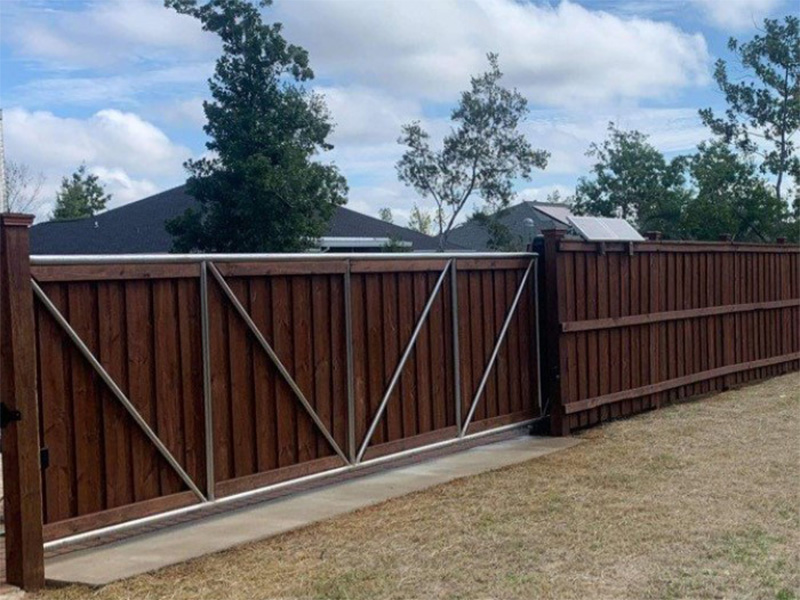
<point>353,460</point>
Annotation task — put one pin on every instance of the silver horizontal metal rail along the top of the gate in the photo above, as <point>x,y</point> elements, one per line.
<point>100,259</point>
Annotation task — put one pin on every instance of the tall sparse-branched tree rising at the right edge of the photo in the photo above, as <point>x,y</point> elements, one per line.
<point>764,108</point>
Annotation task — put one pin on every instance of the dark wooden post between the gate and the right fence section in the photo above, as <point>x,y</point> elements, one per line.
<point>550,323</point>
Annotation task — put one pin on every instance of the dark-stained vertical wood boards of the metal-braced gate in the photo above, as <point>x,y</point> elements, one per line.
<point>324,319</point>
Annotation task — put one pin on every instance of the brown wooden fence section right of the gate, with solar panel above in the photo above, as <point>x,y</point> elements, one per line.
<point>631,326</point>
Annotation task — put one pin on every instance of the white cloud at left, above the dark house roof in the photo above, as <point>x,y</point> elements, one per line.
<point>132,157</point>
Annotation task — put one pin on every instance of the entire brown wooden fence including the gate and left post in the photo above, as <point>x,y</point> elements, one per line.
<point>134,386</point>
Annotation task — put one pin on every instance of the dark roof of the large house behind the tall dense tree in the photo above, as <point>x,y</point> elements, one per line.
<point>138,228</point>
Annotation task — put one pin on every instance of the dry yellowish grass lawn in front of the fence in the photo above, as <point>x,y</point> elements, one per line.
<point>700,500</point>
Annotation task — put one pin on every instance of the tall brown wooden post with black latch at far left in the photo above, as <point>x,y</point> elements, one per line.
<point>21,454</point>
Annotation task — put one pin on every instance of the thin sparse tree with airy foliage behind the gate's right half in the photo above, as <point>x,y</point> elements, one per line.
<point>483,154</point>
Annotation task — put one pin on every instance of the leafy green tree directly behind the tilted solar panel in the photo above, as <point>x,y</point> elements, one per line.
<point>634,181</point>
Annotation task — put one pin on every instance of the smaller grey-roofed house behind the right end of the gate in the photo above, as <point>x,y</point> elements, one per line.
<point>524,222</point>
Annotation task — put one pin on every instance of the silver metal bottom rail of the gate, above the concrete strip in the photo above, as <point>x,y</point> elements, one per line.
<point>211,505</point>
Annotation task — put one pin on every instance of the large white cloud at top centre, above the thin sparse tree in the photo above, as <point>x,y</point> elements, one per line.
<point>562,55</point>
